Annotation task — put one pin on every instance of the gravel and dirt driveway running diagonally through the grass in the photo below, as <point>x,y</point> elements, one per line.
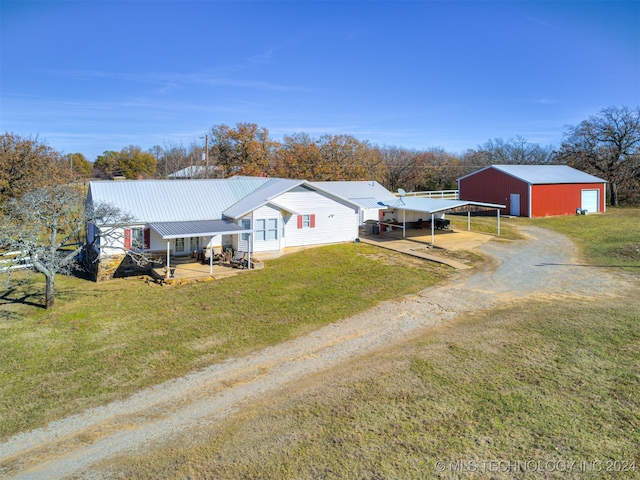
<point>544,265</point>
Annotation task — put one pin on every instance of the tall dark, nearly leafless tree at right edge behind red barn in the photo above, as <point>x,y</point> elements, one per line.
<point>608,146</point>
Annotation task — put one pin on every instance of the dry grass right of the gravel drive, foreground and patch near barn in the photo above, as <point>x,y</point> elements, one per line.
<point>541,383</point>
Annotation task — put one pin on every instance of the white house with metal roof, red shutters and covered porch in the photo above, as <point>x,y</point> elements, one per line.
<point>262,216</point>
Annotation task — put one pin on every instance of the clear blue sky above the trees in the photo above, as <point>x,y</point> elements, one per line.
<point>91,76</point>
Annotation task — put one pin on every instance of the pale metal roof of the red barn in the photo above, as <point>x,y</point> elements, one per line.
<point>544,174</point>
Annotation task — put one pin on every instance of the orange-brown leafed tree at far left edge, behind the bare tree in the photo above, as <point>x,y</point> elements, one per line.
<point>27,163</point>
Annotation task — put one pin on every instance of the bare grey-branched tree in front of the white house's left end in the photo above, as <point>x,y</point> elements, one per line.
<point>46,226</point>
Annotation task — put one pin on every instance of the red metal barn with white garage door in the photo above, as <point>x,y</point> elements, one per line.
<point>535,190</point>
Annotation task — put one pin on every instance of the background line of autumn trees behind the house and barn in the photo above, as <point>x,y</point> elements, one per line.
<point>606,145</point>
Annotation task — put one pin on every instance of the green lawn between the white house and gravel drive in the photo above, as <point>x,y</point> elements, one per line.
<point>104,341</point>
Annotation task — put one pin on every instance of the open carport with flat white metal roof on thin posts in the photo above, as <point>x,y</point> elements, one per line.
<point>431,207</point>
